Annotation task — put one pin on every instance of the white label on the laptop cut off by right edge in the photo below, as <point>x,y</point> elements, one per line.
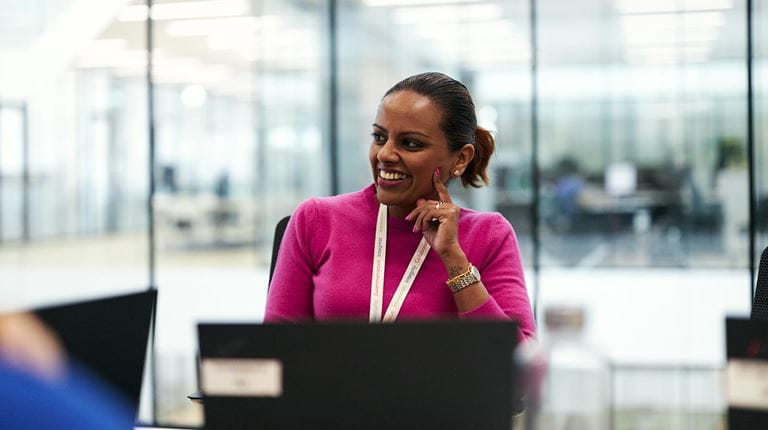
<point>747,383</point>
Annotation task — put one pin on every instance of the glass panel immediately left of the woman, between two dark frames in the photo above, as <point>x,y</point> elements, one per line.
<point>240,90</point>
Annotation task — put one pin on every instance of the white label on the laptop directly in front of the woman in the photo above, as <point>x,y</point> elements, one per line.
<point>247,377</point>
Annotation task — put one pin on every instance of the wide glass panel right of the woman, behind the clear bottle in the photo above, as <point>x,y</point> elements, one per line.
<point>643,138</point>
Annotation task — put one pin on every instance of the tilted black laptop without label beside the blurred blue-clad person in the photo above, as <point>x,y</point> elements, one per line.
<point>108,336</point>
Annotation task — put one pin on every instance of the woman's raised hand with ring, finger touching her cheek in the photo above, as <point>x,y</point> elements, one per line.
<point>438,220</point>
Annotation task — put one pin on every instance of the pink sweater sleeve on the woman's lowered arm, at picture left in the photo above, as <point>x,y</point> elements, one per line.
<point>290,294</point>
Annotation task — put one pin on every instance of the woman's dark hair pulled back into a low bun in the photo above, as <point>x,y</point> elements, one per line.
<point>459,121</point>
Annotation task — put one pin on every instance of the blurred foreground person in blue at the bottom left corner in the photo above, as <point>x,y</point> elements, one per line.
<point>40,389</point>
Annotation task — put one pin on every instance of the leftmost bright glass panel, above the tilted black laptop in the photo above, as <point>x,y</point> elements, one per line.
<point>73,126</point>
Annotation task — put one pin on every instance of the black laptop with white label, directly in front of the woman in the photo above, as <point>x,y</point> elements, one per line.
<point>411,375</point>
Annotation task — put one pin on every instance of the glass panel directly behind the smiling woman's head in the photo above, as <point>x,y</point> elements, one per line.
<point>483,44</point>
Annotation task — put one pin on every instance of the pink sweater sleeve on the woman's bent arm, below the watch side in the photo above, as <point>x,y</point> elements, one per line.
<point>502,275</point>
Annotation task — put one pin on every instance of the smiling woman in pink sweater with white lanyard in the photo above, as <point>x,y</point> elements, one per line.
<point>422,256</point>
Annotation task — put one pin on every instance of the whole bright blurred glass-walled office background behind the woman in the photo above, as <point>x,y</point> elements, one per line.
<point>624,160</point>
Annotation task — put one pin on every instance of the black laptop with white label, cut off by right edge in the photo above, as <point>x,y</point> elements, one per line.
<point>747,373</point>
